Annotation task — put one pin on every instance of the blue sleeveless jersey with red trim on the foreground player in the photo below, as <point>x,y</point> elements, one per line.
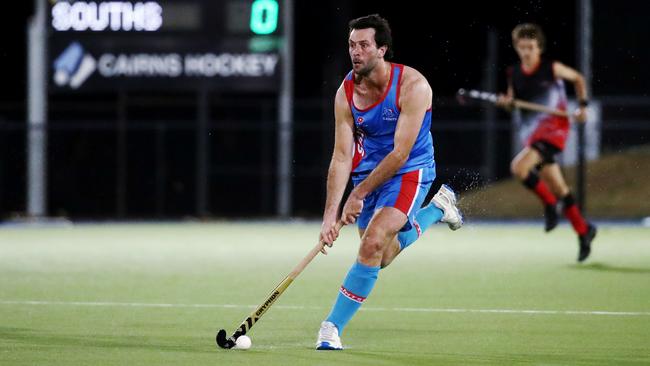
<point>374,130</point>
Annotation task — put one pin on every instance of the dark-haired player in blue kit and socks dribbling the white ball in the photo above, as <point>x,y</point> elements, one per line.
<point>382,140</point>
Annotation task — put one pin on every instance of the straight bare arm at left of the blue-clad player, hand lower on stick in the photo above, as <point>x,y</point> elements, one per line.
<point>340,165</point>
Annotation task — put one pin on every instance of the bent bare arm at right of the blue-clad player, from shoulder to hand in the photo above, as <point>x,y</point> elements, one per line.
<point>416,96</point>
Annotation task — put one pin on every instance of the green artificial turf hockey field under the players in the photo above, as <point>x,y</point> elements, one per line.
<point>484,295</point>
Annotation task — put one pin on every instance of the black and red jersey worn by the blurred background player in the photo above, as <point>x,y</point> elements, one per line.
<point>542,87</point>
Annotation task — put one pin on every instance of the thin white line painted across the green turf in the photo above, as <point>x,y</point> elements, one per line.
<point>289,307</point>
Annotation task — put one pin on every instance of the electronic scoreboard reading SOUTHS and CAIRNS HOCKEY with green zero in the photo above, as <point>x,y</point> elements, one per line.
<point>173,44</point>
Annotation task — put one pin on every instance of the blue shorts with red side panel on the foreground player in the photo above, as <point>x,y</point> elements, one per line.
<point>405,192</point>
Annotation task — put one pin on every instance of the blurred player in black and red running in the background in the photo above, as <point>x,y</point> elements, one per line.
<point>539,80</point>
